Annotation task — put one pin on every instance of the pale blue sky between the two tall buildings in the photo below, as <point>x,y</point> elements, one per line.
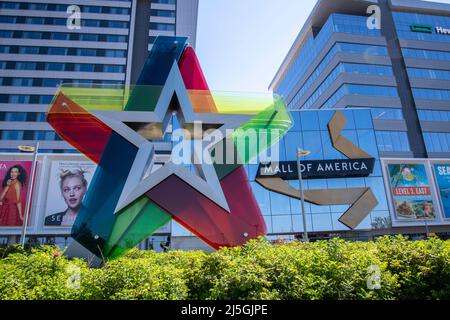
<point>241,43</point>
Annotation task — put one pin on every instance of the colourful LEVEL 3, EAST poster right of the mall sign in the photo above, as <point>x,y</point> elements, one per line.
<point>411,192</point>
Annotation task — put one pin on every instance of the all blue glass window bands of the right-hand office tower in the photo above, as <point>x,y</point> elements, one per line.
<point>297,81</point>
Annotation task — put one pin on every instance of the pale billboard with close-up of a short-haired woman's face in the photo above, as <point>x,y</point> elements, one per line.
<point>68,183</point>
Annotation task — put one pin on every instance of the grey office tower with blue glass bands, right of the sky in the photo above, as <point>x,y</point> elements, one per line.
<point>340,59</point>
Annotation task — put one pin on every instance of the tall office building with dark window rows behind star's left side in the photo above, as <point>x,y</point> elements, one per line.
<point>41,47</point>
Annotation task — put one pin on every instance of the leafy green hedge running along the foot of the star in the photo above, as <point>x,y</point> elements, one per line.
<point>332,269</point>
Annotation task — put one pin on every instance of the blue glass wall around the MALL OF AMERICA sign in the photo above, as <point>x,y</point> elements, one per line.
<point>283,214</point>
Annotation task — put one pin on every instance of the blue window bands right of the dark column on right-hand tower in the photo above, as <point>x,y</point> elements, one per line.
<point>437,92</point>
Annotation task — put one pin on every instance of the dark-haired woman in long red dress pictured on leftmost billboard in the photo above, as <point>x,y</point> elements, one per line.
<point>12,197</point>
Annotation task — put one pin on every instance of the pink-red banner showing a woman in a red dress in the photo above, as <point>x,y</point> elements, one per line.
<point>14,188</point>
